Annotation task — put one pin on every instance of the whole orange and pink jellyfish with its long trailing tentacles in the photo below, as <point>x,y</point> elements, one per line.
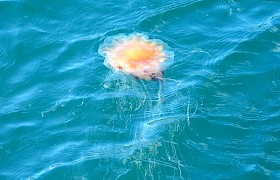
<point>141,110</point>
